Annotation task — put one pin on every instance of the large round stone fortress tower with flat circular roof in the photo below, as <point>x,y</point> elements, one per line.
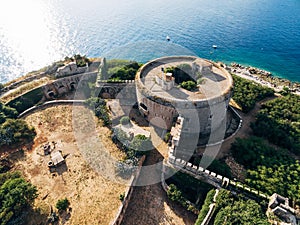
<point>161,100</point>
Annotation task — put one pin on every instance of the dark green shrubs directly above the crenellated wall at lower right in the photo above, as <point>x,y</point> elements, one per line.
<point>269,170</point>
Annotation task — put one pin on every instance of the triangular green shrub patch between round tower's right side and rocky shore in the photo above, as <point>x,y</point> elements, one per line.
<point>246,93</point>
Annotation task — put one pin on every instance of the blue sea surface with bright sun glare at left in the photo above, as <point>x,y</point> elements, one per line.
<point>261,33</point>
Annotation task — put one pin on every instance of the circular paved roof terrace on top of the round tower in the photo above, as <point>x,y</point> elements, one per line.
<point>215,83</point>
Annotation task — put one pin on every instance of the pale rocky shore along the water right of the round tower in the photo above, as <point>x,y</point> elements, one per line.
<point>263,77</point>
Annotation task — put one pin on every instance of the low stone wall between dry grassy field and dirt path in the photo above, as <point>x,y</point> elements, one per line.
<point>122,209</point>
